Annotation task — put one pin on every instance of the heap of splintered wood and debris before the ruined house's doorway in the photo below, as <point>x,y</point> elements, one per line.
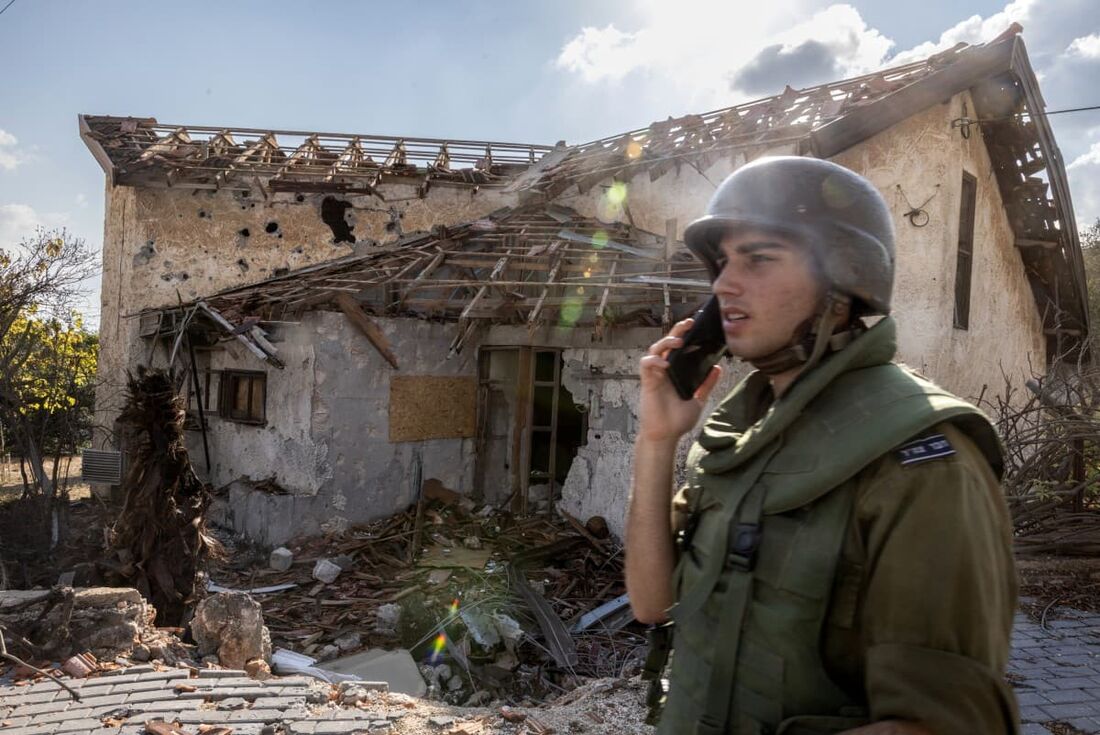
<point>492,607</point>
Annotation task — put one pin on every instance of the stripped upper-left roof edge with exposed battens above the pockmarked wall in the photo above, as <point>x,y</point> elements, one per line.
<point>144,152</point>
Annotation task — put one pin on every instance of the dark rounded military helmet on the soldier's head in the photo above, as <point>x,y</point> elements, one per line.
<point>839,213</point>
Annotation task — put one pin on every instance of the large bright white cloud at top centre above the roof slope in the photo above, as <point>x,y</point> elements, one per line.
<point>690,52</point>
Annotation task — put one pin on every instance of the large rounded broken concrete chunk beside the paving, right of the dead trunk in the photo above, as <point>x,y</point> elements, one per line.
<point>232,627</point>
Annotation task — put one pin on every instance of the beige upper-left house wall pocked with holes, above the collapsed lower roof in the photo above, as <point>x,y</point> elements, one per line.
<point>163,246</point>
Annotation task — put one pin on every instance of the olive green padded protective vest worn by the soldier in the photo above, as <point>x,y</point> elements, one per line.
<point>772,506</point>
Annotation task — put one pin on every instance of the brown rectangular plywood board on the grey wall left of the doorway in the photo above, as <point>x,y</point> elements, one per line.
<point>433,408</point>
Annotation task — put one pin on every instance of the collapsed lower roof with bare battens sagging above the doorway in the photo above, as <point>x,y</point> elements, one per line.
<point>533,266</point>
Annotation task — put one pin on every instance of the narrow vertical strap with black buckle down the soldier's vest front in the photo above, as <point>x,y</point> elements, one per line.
<point>734,611</point>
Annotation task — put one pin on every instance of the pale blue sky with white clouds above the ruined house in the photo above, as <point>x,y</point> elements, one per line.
<point>532,72</point>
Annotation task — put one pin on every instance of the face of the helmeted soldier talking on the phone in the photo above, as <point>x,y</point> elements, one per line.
<point>767,290</point>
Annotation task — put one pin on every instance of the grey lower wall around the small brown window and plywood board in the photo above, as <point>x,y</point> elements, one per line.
<point>326,442</point>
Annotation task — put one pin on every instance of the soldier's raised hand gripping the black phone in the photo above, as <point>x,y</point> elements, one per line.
<point>664,416</point>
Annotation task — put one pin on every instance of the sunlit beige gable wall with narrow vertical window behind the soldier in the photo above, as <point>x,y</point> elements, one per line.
<point>922,160</point>
